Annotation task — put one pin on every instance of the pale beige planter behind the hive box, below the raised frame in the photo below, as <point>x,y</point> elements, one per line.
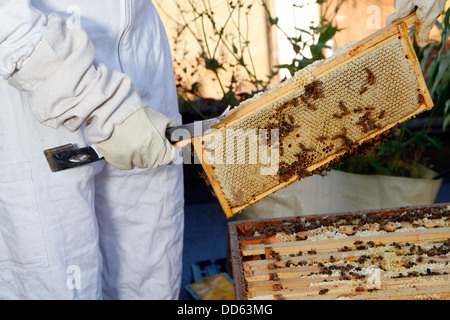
<point>340,192</point>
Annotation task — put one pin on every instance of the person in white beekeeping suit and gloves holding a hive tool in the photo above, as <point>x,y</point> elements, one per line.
<point>88,72</point>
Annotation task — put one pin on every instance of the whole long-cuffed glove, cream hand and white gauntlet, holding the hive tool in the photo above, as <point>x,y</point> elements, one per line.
<point>66,88</point>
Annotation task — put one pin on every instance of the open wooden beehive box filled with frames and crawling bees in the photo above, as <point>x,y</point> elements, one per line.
<point>400,253</point>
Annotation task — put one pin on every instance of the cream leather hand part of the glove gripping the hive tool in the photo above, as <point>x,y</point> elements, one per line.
<point>140,141</point>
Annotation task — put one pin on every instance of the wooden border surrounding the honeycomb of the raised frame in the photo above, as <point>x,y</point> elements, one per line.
<point>248,108</point>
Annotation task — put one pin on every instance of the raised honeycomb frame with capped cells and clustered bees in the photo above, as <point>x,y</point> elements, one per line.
<point>318,121</point>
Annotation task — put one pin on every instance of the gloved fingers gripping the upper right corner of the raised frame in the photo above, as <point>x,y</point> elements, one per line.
<point>427,13</point>
